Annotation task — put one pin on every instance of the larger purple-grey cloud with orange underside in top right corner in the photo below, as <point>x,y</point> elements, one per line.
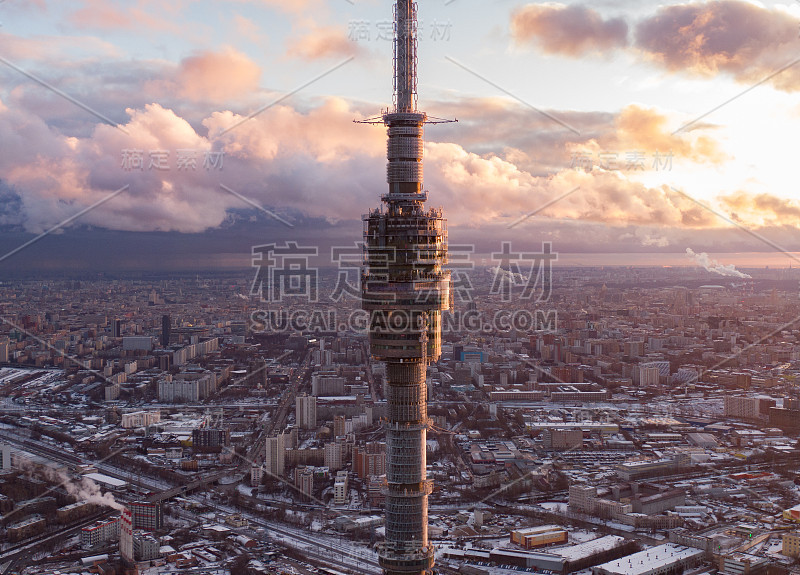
<point>746,40</point>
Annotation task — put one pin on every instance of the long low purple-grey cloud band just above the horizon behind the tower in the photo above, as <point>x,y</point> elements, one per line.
<point>91,252</point>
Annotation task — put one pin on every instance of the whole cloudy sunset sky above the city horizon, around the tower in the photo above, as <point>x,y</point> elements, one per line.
<point>186,132</point>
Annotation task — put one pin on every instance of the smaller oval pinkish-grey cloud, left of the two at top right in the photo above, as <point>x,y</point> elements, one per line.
<point>573,30</point>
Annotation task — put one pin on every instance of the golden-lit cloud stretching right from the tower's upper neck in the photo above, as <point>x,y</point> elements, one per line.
<point>536,144</point>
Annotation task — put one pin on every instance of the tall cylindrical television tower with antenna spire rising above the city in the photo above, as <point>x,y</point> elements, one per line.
<point>405,289</point>
